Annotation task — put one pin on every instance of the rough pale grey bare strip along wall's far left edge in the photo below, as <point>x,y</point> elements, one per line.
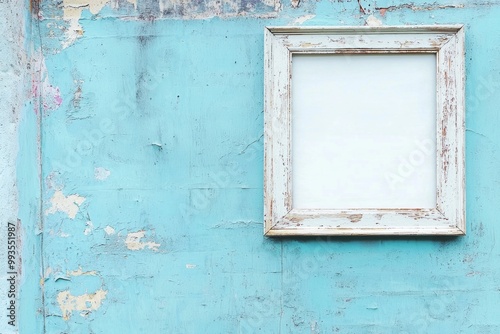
<point>12,70</point>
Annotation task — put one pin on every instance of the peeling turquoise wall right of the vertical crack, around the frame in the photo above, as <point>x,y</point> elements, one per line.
<point>154,123</point>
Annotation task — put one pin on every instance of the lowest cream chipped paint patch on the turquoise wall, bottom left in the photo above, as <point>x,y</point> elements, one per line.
<point>84,303</point>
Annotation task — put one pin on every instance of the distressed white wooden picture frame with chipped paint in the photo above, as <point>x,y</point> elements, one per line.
<point>448,217</point>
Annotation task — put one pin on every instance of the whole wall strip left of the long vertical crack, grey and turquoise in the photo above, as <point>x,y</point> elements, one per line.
<point>19,177</point>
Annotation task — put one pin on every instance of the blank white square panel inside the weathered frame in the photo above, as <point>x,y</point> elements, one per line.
<point>364,131</point>
